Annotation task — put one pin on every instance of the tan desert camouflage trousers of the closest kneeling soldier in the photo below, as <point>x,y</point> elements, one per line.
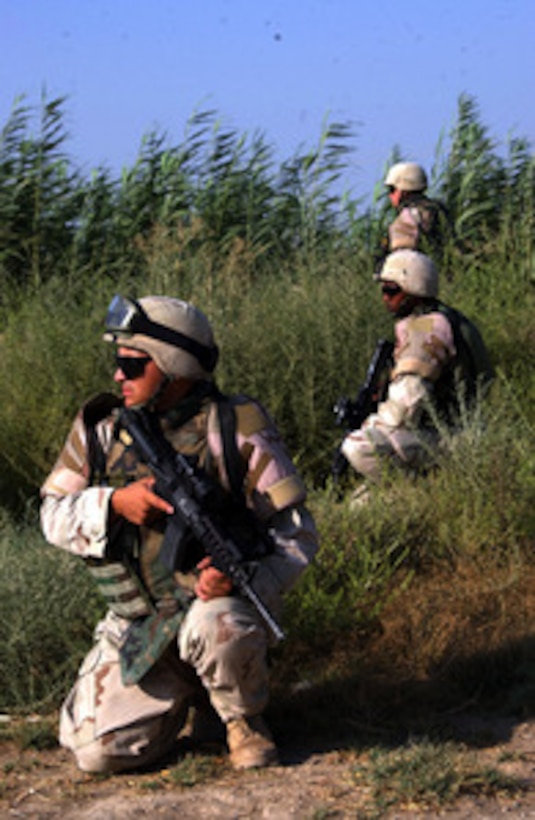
<point>112,727</point>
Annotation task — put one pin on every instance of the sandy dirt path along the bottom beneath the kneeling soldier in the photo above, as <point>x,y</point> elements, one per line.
<point>309,783</point>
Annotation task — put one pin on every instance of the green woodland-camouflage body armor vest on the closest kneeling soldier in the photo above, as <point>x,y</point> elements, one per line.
<point>134,581</point>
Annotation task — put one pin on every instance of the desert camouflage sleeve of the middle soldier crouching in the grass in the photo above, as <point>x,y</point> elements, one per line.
<point>424,345</point>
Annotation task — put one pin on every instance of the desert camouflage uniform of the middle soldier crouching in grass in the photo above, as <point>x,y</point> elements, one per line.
<point>402,430</point>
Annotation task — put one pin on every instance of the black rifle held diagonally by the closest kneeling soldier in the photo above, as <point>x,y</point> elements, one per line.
<point>190,491</point>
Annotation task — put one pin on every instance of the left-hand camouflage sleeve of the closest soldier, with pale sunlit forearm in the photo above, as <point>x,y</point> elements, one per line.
<point>74,516</point>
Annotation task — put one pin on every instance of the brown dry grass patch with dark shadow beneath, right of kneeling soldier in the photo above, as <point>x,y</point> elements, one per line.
<point>450,642</point>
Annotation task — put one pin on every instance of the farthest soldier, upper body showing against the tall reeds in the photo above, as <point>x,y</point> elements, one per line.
<point>421,223</point>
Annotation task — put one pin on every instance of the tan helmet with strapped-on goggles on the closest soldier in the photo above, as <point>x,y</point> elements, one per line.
<point>177,335</point>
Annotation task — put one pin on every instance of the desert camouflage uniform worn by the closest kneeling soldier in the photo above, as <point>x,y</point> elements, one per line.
<point>112,723</point>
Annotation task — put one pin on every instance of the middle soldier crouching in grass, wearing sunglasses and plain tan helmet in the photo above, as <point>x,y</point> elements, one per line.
<point>441,367</point>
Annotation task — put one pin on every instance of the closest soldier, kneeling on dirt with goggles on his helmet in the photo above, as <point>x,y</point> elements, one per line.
<point>169,633</point>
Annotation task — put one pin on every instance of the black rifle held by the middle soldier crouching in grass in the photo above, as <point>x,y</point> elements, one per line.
<point>350,413</point>
